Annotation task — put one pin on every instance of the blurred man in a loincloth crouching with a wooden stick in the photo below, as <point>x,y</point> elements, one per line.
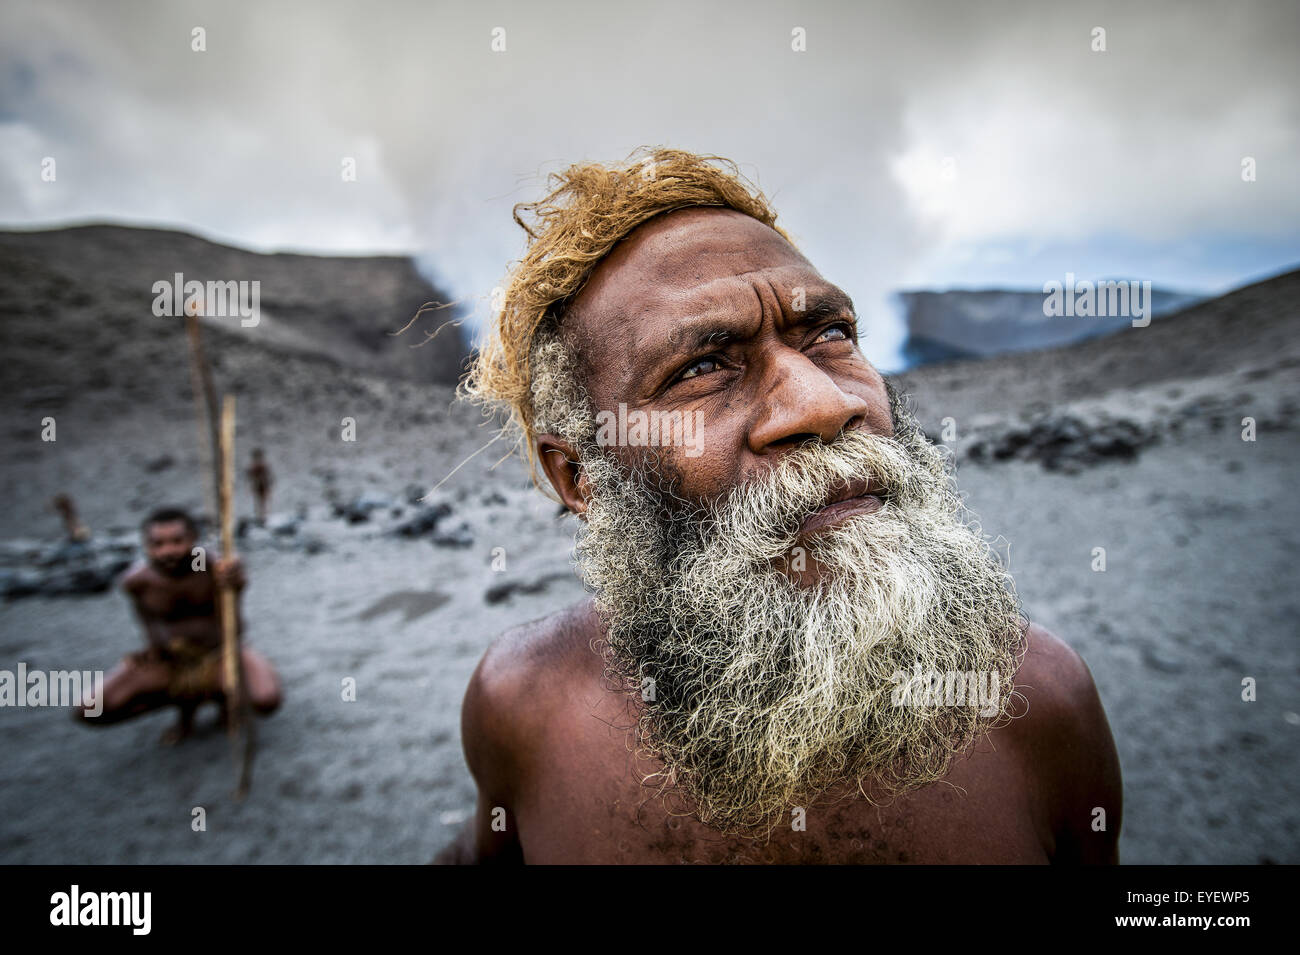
<point>181,615</point>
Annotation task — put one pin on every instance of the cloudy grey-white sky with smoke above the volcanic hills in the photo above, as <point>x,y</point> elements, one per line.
<point>912,145</point>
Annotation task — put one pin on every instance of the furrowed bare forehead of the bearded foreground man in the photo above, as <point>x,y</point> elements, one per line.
<point>678,270</point>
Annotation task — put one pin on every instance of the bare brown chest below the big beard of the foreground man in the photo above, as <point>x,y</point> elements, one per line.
<point>587,804</point>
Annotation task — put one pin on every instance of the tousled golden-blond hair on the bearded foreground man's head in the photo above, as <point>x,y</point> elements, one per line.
<point>590,210</point>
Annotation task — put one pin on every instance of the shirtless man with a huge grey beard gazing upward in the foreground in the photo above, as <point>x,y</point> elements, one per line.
<point>796,646</point>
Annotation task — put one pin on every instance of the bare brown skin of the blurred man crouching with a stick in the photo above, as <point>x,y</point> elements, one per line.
<point>175,602</point>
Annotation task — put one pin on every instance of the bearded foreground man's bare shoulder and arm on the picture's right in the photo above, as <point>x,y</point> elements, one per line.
<point>1072,754</point>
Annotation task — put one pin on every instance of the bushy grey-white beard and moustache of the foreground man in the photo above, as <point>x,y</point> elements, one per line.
<point>766,692</point>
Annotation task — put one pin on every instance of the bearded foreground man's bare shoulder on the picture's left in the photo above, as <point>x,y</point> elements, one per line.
<point>522,678</point>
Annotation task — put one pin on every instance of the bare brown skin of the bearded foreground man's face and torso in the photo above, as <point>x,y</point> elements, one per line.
<point>697,311</point>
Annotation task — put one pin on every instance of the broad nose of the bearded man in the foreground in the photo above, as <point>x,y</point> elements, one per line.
<point>804,402</point>
